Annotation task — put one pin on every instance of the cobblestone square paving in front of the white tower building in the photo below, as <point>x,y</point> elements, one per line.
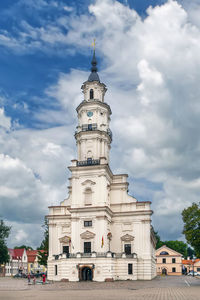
<point>161,288</point>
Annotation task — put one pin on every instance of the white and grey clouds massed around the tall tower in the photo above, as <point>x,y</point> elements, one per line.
<point>152,70</point>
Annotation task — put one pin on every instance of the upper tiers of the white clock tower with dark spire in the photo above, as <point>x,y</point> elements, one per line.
<point>93,135</point>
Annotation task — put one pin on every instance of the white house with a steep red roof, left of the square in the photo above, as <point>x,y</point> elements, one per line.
<point>18,262</point>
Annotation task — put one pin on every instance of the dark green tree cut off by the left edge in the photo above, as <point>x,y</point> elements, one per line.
<point>4,233</point>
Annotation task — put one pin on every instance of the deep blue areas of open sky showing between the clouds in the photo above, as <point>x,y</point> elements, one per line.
<point>26,73</point>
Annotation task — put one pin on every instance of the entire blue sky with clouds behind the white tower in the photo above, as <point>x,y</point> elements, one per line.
<point>148,55</point>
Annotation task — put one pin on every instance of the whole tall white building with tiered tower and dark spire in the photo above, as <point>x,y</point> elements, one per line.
<point>99,232</point>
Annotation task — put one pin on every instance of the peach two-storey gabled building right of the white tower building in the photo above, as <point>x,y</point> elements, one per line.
<point>168,261</point>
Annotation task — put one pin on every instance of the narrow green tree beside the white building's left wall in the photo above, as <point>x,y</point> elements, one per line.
<point>43,255</point>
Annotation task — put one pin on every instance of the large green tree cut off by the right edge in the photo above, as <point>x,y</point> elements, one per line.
<point>191,220</point>
